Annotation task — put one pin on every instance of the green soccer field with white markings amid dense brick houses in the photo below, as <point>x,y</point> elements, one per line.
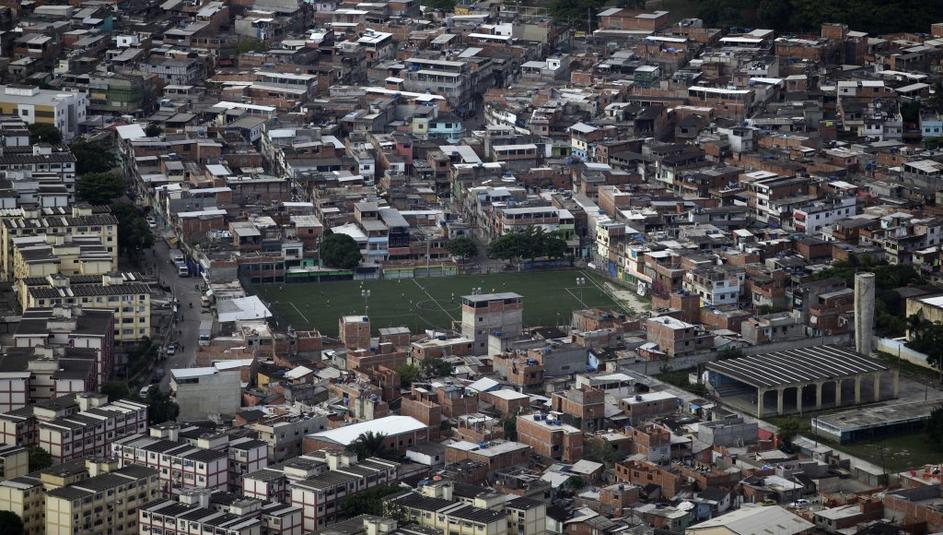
<point>549,297</point>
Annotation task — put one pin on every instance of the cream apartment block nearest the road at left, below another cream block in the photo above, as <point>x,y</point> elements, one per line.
<point>123,294</point>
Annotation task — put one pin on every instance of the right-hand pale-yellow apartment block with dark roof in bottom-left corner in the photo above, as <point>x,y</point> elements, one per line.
<point>107,502</point>
